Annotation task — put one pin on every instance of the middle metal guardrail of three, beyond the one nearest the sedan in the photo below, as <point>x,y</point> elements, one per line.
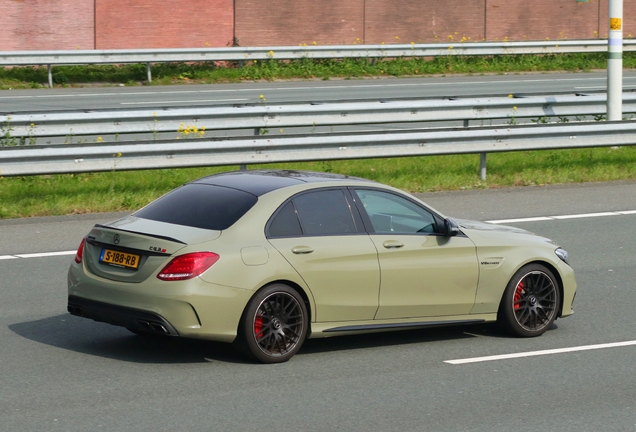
<point>155,122</point>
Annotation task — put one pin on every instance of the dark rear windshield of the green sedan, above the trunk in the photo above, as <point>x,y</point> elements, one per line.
<point>200,206</point>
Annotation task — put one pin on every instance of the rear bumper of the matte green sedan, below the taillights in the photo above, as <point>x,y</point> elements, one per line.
<point>190,309</point>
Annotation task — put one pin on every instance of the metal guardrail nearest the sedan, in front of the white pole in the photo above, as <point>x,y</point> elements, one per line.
<point>77,158</point>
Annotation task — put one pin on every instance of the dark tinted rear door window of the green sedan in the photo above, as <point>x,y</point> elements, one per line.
<point>324,212</point>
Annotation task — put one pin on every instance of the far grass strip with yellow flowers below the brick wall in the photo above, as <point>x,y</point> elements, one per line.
<point>220,72</point>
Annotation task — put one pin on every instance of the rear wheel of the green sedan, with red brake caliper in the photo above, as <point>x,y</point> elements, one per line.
<point>274,324</point>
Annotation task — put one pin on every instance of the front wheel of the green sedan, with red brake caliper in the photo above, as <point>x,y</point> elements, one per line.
<point>530,303</point>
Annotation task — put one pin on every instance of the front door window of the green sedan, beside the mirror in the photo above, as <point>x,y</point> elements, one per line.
<point>391,213</point>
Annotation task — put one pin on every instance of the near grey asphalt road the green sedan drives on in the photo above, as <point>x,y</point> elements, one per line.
<point>63,373</point>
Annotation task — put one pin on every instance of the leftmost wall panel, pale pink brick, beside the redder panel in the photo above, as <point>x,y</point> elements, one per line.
<point>46,25</point>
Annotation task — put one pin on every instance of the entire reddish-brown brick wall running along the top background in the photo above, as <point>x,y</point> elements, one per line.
<point>118,24</point>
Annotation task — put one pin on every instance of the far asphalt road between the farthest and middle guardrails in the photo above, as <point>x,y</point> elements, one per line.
<point>157,97</point>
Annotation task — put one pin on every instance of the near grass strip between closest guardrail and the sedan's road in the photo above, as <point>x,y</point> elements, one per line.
<point>125,191</point>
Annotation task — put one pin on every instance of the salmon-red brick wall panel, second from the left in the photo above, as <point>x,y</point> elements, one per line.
<point>163,23</point>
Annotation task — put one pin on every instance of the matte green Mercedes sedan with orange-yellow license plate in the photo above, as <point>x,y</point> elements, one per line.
<point>266,259</point>
